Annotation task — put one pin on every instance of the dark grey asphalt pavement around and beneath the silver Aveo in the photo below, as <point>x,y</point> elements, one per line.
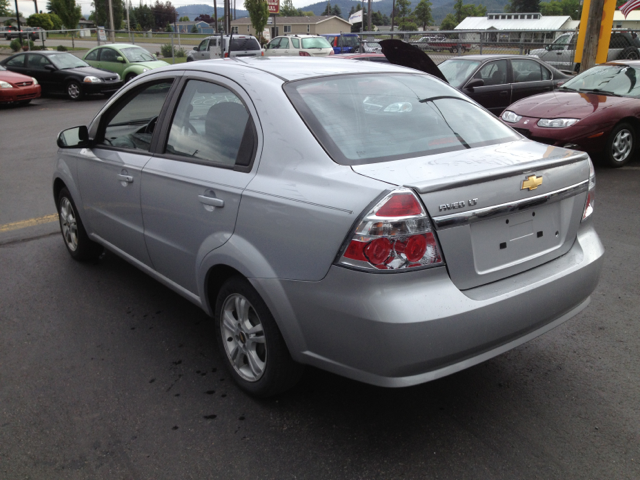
<point>105,373</point>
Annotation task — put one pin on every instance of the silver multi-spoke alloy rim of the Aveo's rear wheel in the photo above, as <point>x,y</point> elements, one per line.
<point>243,337</point>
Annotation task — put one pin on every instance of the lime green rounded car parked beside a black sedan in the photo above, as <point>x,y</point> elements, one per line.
<point>126,60</point>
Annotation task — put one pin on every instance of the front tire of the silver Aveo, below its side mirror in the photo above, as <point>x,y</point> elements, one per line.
<point>78,244</point>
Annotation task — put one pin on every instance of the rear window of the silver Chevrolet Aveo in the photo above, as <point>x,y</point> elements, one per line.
<point>361,119</point>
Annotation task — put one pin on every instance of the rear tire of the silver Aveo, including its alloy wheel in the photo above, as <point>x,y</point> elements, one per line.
<point>250,342</point>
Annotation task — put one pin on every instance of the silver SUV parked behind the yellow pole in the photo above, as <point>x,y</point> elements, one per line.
<point>561,53</point>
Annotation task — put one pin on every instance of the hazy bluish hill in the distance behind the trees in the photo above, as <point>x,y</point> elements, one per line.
<point>439,8</point>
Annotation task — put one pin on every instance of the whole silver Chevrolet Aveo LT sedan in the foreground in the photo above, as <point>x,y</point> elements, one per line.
<point>363,218</point>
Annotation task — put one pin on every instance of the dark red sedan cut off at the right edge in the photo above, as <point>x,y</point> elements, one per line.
<point>597,112</point>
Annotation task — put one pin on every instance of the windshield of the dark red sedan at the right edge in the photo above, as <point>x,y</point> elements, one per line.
<point>607,80</point>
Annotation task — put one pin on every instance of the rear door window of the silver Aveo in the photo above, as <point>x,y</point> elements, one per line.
<point>212,125</point>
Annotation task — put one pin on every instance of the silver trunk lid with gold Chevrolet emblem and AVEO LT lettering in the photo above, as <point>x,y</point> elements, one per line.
<point>497,210</point>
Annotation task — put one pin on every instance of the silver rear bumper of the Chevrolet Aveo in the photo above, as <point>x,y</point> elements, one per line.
<point>404,329</point>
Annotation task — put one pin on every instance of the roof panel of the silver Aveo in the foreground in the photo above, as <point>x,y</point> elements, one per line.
<point>289,69</point>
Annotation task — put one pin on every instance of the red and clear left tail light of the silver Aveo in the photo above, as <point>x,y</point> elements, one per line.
<point>395,234</point>
